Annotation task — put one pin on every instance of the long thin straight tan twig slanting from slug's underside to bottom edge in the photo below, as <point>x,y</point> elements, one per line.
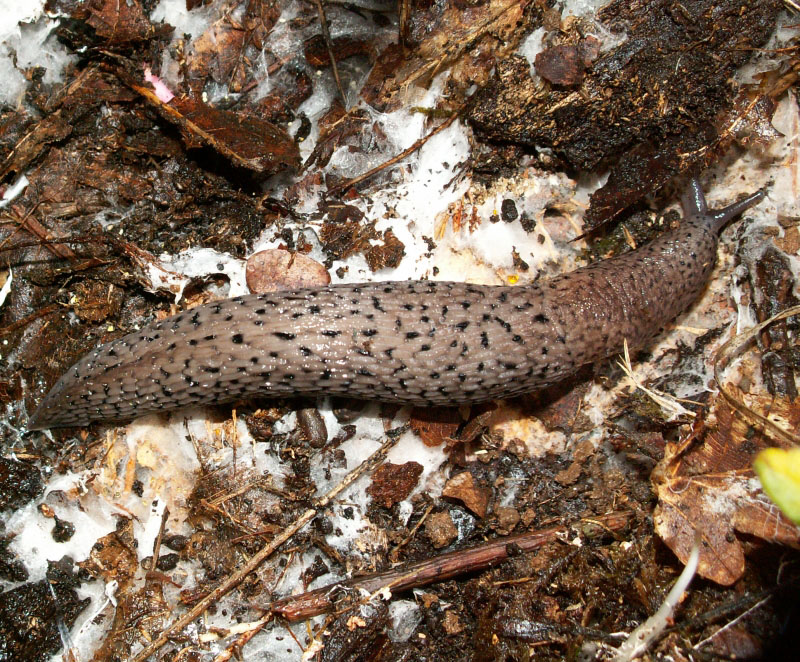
<point>257,559</point>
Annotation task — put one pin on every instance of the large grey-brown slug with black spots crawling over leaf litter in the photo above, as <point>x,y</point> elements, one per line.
<point>418,342</point>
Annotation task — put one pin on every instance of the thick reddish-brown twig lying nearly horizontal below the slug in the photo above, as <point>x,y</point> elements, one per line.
<point>313,603</point>
